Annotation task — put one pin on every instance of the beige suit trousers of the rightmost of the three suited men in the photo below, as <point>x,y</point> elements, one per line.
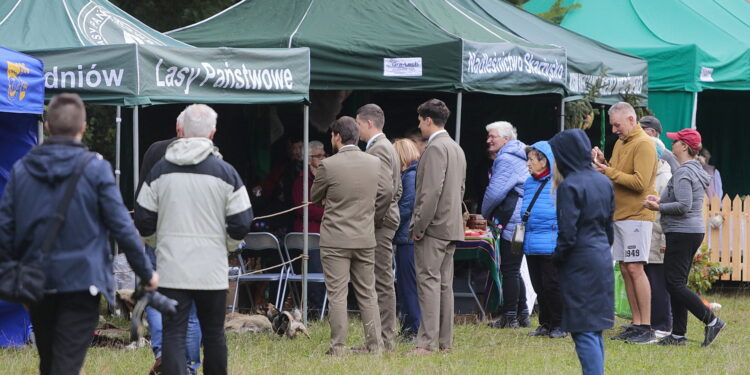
<point>433,260</point>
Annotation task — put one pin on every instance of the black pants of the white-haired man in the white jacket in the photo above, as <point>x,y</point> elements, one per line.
<point>210,306</point>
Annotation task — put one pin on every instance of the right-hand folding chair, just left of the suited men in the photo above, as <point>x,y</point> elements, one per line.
<point>293,246</point>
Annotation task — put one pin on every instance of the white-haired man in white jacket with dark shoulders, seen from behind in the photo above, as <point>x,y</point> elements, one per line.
<point>192,208</point>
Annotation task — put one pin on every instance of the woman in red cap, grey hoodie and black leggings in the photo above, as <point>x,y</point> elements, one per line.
<point>681,208</point>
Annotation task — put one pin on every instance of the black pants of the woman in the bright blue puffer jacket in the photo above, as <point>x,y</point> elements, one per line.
<point>543,275</point>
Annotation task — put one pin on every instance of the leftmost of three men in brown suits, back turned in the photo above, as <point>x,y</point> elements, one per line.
<point>347,188</point>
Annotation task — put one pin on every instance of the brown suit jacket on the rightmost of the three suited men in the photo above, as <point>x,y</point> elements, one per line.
<point>441,177</point>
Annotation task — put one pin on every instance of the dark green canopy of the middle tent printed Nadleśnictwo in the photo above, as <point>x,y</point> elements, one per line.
<point>389,45</point>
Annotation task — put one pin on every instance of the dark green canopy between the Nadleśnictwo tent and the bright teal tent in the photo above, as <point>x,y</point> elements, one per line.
<point>587,58</point>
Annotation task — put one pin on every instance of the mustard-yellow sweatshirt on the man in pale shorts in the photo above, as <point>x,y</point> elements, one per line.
<point>632,169</point>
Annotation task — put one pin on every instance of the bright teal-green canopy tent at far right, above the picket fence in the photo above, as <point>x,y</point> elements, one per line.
<point>701,46</point>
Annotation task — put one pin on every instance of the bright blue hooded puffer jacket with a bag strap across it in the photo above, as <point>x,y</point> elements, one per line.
<point>541,229</point>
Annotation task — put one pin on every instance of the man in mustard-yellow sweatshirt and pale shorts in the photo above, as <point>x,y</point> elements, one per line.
<point>632,169</point>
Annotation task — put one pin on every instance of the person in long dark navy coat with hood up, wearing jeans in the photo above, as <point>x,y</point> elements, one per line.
<point>585,204</point>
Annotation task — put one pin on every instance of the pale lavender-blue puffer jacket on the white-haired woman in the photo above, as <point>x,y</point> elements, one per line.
<point>509,171</point>
